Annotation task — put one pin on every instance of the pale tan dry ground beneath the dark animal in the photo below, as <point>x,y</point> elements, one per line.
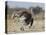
<point>15,25</point>
